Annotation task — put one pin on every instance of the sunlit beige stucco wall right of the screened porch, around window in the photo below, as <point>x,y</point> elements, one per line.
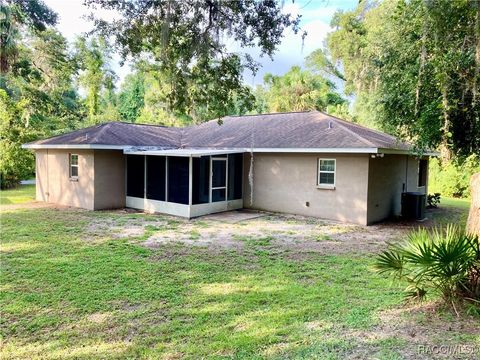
<point>285,182</point>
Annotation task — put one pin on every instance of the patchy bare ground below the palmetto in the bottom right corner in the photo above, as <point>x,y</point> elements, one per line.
<point>425,331</point>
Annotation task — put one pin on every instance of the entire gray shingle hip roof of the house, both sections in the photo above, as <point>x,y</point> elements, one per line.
<point>312,129</point>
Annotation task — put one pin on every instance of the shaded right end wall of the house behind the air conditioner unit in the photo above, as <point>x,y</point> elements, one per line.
<point>388,178</point>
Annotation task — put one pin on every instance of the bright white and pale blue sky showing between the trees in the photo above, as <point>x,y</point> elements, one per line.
<point>316,16</point>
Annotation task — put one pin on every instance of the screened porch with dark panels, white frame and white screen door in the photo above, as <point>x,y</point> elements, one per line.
<point>184,183</point>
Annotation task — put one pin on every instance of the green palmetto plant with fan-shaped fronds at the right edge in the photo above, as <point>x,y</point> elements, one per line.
<point>445,261</point>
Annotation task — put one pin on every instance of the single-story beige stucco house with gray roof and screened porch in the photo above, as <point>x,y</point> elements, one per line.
<point>306,163</point>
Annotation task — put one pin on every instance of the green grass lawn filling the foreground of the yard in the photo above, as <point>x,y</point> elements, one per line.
<point>72,289</point>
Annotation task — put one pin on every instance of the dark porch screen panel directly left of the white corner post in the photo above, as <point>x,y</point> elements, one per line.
<point>178,179</point>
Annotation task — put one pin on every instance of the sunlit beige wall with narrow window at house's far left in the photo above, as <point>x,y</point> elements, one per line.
<point>53,178</point>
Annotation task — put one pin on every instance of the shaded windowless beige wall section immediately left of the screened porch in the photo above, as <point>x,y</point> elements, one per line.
<point>109,179</point>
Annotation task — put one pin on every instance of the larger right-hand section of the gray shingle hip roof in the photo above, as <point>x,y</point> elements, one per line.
<point>311,129</point>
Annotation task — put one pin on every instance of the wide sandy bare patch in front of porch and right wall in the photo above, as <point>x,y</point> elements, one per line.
<point>297,235</point>
